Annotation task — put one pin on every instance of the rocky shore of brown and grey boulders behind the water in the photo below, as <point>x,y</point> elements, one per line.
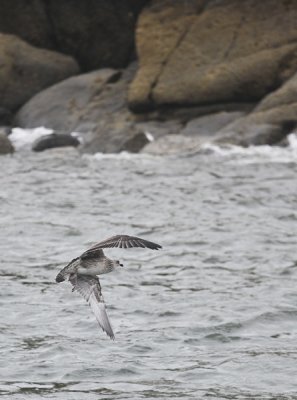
<point>201,70</point>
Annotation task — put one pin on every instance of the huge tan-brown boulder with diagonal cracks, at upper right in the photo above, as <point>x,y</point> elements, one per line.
<point>202,52</point>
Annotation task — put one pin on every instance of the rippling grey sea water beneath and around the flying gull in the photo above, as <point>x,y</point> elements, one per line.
<point>213,315</point>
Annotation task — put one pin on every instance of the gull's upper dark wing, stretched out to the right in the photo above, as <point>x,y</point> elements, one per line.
<point>124,242</point>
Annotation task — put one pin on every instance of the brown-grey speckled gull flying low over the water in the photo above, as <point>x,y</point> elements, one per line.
<point>82,273</point>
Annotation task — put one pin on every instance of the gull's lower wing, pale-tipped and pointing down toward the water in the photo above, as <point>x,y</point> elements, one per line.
<point>89,288</point>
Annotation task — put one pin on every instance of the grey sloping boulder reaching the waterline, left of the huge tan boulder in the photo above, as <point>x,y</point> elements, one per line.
<point>93,104</point>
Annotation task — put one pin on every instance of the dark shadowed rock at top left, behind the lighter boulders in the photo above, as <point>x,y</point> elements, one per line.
<point>98,33</point>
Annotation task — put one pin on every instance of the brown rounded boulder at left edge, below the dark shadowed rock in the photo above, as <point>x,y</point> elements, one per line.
<point>25,70</point>
